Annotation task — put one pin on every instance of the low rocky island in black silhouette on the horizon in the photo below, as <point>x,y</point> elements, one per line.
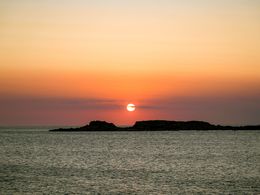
<point>157,125</point>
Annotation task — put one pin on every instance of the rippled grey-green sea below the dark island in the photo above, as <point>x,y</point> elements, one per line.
<point>35,161</point>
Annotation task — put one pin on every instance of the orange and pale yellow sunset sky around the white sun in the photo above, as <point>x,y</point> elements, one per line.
<point>69,62</point>
